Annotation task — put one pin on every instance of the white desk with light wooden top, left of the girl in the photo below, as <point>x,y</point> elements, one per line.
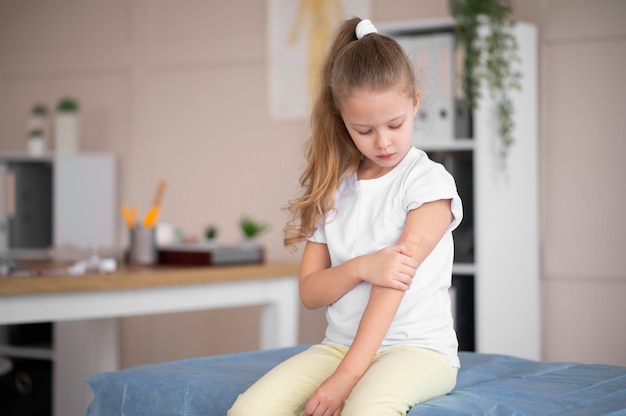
<point>85,311</point>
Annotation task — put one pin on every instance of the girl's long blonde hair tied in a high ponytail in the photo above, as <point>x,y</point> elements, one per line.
<point>374,62</point>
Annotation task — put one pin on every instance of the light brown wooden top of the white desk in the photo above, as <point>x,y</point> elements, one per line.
<point>143,277</point>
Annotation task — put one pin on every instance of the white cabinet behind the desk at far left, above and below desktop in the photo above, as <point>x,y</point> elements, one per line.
<point>80,210</point>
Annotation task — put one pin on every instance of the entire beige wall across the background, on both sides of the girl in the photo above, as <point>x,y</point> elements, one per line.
<point>178,91</point>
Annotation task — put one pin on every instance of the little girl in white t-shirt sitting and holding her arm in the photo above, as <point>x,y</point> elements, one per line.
<point>377,217</point>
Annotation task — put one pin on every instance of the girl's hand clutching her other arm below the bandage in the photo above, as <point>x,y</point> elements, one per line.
<point>391,267</point>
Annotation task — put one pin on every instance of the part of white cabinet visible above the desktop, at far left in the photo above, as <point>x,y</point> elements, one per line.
<point>57,200</point>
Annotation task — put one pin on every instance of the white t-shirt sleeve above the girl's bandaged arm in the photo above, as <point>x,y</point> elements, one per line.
<point>428,182</point>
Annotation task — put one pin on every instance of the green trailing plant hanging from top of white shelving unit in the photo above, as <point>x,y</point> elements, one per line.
<point>490,55</point>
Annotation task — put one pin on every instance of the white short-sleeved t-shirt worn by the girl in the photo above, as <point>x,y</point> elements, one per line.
<point>370,215</point>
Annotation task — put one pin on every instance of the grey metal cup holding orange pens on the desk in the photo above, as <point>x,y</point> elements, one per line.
<point>142,244</point>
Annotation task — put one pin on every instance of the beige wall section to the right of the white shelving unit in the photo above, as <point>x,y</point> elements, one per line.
<point>584,147</point>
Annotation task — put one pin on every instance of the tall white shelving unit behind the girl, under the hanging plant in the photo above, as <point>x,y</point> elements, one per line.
<point>505,266</point>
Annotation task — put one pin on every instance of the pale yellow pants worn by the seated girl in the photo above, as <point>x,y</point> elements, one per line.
<point>395,380</point>
